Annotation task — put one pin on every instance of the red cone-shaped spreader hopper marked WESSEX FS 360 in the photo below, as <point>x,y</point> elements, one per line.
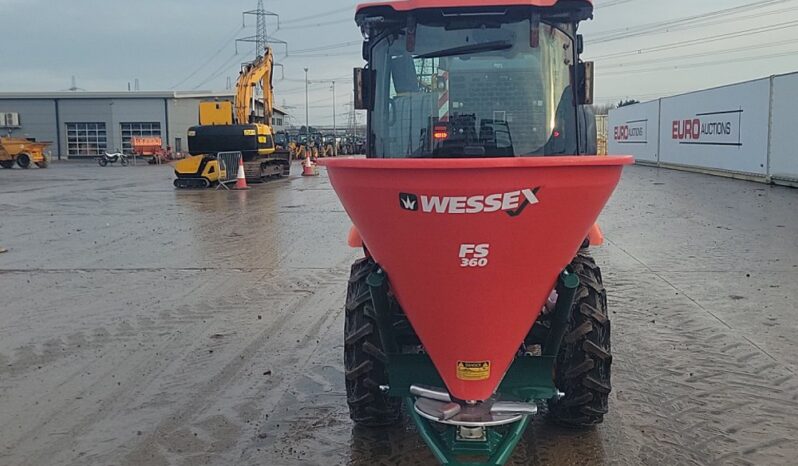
<point>473,247</point>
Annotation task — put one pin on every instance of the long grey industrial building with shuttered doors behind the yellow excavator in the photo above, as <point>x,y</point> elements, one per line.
<point>86,124</point>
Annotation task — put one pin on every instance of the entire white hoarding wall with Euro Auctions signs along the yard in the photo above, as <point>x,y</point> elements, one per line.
<point>744,130</point>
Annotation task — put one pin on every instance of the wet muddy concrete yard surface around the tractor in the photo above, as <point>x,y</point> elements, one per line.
<point>144,325</point>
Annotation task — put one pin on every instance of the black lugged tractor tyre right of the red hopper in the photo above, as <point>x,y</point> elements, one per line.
<point>582,370</point>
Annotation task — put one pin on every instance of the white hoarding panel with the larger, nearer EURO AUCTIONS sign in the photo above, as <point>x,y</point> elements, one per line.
<point>722,129</point>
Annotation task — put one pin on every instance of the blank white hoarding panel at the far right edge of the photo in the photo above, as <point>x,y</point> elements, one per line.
<point>784,132</point>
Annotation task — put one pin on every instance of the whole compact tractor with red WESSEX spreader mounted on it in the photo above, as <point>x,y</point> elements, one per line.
<point>476,302</point>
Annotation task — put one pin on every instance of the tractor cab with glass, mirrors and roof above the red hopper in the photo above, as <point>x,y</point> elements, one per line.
<point>477,80</point>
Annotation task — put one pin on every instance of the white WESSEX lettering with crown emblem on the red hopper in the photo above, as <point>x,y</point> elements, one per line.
<point>513,203</point>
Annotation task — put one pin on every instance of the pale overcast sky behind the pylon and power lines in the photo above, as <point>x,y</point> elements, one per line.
<point>188,44</point>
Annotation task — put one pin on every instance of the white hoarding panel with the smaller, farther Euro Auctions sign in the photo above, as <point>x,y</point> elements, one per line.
<point>634,130</point>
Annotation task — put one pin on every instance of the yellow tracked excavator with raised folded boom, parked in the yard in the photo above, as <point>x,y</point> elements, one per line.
<point>236,126</point>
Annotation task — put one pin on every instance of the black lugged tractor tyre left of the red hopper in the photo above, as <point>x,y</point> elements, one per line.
<point>364,358</point>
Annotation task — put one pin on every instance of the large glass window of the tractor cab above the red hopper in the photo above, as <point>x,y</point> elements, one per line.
<point>499,90</point>
